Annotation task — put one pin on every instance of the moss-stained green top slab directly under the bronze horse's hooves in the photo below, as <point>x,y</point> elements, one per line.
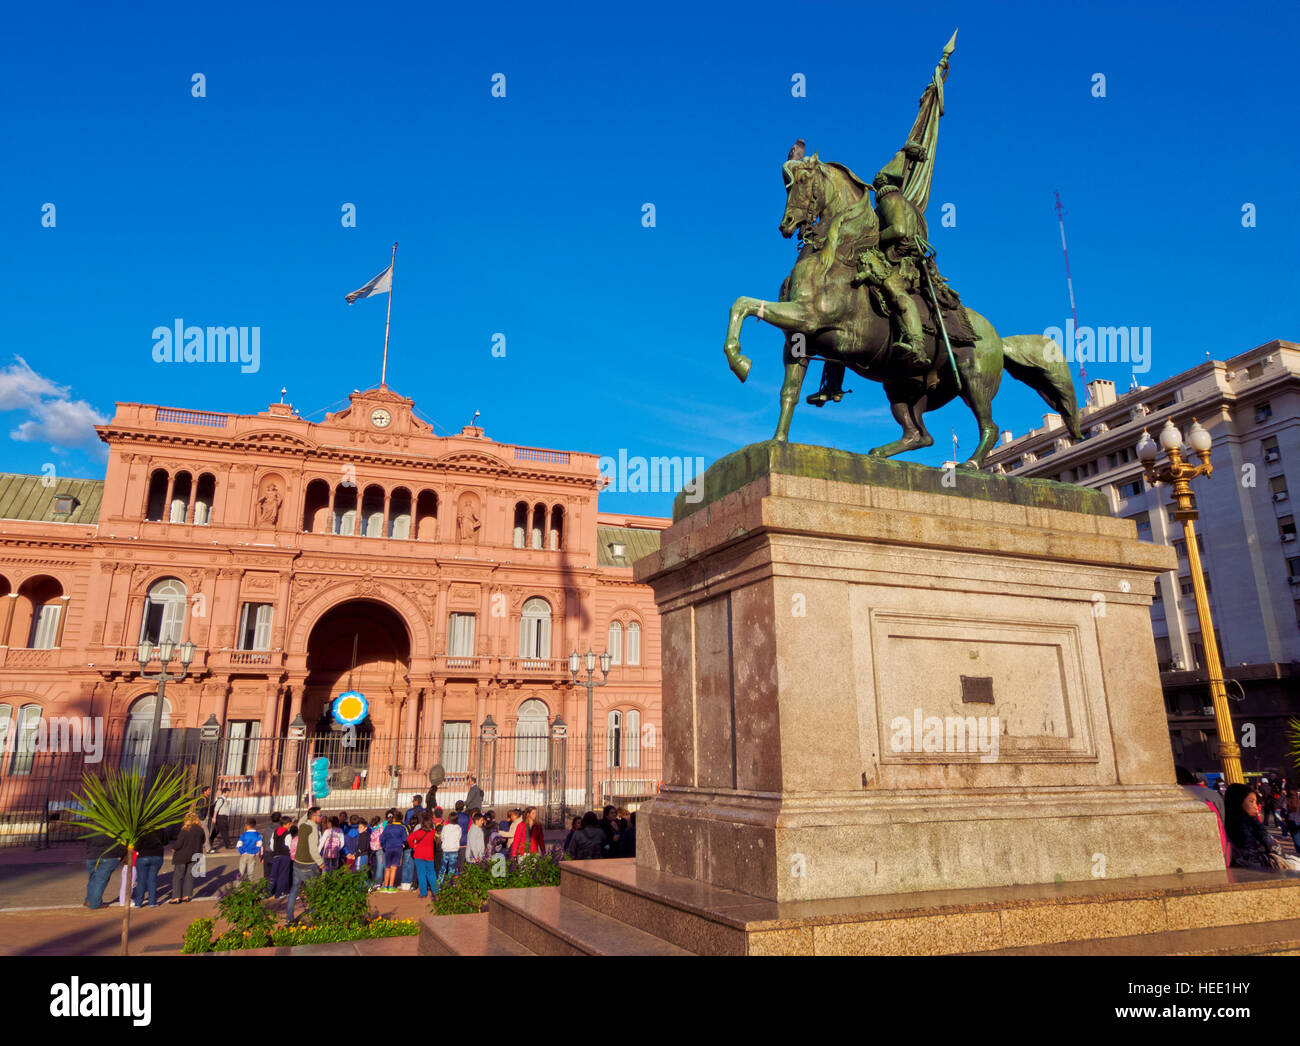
<point>743,467</point>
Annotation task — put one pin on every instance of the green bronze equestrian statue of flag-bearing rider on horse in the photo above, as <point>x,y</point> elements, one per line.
<point>865,296</point>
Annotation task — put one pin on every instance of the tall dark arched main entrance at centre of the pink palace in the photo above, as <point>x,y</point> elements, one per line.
<point>365,646</point>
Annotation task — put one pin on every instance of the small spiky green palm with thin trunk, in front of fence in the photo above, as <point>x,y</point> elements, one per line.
<point>125,810</point>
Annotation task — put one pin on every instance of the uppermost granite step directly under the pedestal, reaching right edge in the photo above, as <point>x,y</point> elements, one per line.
<point>1193,914</point>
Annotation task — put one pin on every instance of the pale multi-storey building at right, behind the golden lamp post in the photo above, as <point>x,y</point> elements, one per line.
<point>1247,533</point>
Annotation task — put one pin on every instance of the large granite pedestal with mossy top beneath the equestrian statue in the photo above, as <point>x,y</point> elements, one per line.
<point>882,678</point>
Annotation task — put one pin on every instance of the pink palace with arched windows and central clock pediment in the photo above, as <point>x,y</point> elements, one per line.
<point>447,579</point>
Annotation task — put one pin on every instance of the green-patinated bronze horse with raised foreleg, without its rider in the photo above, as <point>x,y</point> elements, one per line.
<point>827,314</point>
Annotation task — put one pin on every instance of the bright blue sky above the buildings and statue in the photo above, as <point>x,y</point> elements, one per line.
<point>523,216</point>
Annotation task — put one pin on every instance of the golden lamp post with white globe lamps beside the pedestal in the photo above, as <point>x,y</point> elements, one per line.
<point>1181,474</point>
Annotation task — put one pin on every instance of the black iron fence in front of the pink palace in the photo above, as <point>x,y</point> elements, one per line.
<point>367,774</point>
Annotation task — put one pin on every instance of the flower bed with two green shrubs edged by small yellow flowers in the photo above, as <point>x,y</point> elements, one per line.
<point>340,912</point>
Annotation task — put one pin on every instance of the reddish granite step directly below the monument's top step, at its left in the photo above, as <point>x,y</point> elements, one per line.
<point>547,923</point>
